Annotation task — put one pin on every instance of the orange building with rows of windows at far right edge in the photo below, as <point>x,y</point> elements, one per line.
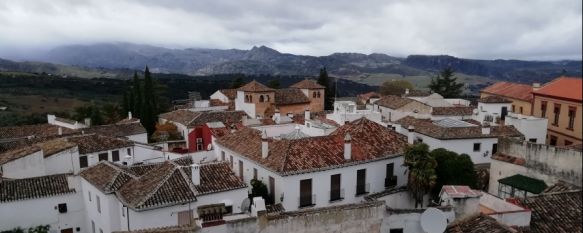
<point>560,102</point>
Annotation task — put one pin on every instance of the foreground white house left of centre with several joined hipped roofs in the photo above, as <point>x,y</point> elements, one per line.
<point>156,195</point>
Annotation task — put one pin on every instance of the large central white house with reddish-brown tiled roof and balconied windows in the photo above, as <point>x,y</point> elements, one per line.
<point>356,159</point>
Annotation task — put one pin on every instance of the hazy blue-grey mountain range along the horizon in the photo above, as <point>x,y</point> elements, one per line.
<point>265,60</point>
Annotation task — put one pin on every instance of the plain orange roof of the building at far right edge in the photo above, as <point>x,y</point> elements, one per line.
<point>563,87</point>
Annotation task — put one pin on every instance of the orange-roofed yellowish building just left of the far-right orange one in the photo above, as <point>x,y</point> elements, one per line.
<point>519,94</point>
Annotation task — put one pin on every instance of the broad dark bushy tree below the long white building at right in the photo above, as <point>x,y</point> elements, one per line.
<point>453,169</point>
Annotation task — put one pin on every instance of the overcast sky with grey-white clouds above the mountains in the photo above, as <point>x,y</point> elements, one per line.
<point>521,29</point>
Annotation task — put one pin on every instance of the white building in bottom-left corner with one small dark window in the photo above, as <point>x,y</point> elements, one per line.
<point>53,200</point>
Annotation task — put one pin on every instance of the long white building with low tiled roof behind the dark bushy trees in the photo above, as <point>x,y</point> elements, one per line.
<point>463,137</point>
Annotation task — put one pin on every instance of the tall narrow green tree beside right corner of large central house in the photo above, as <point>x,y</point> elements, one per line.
<point>421,168</point>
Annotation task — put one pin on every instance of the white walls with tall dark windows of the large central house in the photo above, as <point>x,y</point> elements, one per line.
<point>287,188</point>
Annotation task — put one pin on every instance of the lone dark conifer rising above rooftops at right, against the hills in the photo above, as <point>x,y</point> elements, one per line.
<point>446,85</point>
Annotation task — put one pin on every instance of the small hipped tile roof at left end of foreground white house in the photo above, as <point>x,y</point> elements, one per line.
<point>106,176</point>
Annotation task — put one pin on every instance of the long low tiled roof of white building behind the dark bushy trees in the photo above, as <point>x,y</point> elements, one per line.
<point>427,127</point>
